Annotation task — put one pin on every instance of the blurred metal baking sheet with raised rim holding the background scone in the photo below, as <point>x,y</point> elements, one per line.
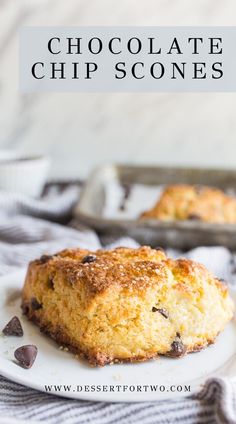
<point>105,209</point>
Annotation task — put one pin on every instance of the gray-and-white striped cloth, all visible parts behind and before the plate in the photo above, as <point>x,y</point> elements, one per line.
<point>25,233</point>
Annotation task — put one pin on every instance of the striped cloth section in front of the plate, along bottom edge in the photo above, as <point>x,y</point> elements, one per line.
<point>215,404</point>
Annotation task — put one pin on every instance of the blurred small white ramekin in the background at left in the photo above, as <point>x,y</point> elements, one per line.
<point>23,174</point>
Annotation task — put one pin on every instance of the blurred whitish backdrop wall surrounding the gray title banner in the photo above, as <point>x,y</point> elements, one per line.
<point>80,131</point>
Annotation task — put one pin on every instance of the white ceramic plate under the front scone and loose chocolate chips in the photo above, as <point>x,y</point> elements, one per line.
<point>56,367</point>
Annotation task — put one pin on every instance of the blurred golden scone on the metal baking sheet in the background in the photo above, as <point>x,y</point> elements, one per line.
<point>182,202</point>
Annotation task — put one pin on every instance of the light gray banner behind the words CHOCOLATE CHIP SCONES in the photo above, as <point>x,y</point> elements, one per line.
<point>128,59</point>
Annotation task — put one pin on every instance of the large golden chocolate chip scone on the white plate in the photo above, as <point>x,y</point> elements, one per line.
<point>125,304</point>
